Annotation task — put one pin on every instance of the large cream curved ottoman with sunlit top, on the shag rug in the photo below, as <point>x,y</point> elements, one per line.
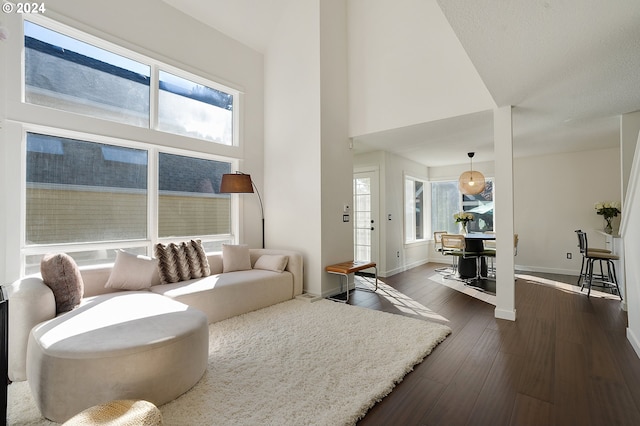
<point>127,345</point>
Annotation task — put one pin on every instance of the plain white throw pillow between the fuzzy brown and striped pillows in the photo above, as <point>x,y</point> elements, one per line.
<point>133,272</point>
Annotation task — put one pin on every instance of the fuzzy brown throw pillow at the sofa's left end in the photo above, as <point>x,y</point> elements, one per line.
<point>61,274</point>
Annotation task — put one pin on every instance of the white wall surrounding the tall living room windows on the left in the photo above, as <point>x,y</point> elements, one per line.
<point>154,29</point>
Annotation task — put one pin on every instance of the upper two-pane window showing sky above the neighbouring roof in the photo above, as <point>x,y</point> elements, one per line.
<point>72,74</point>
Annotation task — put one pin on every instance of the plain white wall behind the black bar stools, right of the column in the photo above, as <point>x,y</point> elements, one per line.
<point>553,196</point>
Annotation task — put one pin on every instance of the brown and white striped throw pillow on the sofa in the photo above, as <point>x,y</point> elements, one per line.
<point>181,262</point>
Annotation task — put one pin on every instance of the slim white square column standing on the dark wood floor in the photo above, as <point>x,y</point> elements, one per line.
<point>505,263</point>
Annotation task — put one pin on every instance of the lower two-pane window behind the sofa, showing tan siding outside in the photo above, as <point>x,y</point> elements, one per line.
<point>87,198</point>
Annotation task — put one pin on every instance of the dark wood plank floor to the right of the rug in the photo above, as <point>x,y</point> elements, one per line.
<point>565,361</point>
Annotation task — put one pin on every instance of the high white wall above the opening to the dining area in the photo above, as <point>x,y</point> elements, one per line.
<point>401,53</point>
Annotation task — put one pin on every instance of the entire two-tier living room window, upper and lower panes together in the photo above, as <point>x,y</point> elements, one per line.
<point>88,195</point>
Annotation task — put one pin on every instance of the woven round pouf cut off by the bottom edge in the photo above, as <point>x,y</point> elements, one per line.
<point>118,413</point>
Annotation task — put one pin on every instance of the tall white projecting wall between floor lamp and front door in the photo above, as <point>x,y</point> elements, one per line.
<point>308,164</point>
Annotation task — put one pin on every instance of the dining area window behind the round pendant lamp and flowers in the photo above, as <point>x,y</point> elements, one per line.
<point>446,200</point>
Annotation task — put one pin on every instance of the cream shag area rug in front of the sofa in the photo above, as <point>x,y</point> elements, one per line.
<point>295,363</point>
